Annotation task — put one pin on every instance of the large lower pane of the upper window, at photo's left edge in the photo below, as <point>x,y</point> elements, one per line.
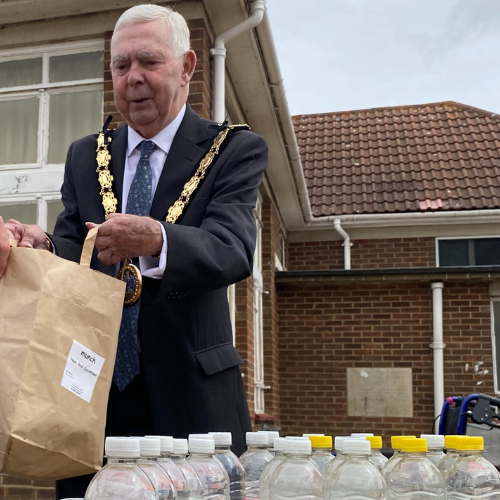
<point>19,131</point>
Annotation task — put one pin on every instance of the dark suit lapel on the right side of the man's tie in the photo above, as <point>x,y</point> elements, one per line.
<point>190,144</point>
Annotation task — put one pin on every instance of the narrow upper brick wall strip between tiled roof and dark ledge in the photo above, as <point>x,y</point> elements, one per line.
<point>365,254</point>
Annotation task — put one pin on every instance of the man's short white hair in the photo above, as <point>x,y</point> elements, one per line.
<point>177,34</point>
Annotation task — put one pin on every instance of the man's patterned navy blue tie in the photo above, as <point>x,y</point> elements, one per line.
<point>138,203</point>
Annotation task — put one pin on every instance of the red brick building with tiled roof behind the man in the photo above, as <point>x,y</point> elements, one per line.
<point>336,324</point>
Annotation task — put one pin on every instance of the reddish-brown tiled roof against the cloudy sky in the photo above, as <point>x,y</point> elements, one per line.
<point>430,157</point>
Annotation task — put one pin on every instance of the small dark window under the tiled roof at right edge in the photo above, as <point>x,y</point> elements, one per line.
<point>469,252</point>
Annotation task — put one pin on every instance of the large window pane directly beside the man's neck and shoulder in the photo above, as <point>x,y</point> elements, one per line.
<point>72,116</point>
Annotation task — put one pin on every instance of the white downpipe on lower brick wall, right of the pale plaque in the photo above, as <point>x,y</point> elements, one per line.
<point>438,346</point>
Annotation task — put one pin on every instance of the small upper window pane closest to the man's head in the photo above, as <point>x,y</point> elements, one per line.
<point>76,67</point>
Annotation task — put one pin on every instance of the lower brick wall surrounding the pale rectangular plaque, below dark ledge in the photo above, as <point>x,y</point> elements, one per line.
<point>324,329</point>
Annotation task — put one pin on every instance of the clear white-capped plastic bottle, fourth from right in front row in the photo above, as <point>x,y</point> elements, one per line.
<point>298,477</point>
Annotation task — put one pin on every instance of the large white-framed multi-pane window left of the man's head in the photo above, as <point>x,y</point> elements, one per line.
<point>49,97</point>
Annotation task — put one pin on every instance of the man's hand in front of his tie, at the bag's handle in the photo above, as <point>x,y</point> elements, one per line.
<point>124,236</point>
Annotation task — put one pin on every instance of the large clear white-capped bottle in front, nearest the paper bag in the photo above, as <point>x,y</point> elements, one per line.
<point>121,478</point>
